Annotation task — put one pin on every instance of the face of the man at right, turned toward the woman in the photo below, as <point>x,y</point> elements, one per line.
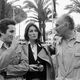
<point>62,27</point>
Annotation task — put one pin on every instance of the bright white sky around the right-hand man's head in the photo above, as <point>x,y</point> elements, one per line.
<point>60,10</point>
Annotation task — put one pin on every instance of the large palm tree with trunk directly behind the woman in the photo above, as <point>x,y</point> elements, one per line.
<point>41,11</point>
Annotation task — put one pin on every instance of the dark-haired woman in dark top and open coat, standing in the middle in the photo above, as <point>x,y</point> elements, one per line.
<point>40,62</point>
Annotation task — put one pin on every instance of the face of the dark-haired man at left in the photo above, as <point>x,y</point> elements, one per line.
<point>10,34</point>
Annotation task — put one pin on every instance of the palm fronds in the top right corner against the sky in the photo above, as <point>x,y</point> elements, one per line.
<point>74,6</point>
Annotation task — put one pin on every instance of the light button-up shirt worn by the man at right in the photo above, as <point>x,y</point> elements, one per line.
<point>68,54</point>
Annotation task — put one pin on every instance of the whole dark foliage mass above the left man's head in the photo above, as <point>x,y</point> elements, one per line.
<point>6,11</point>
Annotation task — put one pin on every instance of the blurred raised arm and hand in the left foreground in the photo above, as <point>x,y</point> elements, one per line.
<point>6,55</point>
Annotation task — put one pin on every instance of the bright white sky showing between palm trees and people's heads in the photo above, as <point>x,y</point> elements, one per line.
<point>60,11</point>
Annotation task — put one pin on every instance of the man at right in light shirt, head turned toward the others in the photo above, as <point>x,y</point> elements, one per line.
<point>67,50</point>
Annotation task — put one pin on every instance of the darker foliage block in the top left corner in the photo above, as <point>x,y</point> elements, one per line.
<point>5,9</point>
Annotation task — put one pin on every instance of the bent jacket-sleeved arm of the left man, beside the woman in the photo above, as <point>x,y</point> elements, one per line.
<point>22,67</point>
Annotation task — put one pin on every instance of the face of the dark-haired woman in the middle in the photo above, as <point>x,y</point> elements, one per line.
<point>32,33</point>
